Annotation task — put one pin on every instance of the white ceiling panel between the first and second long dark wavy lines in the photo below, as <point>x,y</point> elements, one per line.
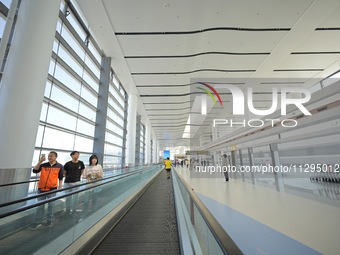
<point>211,41</point>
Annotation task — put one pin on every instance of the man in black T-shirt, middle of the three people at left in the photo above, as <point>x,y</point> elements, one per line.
<point>72,171</point>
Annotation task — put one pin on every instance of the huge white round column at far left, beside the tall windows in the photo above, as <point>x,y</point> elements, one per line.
<point>22,87</point>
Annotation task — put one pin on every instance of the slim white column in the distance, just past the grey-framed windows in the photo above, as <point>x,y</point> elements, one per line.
<point>131,130</point>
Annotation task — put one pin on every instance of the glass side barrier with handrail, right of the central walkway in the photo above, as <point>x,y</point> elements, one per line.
<point>200,232</point>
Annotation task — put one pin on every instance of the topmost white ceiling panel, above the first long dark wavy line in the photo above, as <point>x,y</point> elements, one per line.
<point>154,15</point>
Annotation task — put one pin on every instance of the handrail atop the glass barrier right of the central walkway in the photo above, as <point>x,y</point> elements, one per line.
<point>225,242</point>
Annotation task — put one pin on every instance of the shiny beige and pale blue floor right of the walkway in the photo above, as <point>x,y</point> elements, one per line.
<point>296,212</point>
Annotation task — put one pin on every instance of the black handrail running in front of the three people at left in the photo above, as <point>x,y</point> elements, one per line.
<point>46,200</point>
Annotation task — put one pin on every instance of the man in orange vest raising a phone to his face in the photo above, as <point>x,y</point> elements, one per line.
<point>51,178</point>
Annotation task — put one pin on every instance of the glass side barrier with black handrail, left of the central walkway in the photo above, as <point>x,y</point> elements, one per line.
<point>93,201</point>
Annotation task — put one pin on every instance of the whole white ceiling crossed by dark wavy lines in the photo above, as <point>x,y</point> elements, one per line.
<point>160,49</point>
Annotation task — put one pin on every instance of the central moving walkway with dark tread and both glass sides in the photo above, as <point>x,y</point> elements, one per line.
<point>133,213</point>
